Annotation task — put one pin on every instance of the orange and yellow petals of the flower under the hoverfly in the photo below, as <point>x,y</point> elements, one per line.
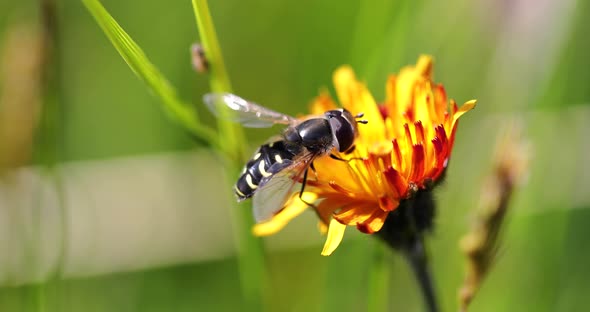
<point>404,148</point>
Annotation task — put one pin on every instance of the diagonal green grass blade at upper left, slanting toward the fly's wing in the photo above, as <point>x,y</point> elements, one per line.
<point>177,110</point>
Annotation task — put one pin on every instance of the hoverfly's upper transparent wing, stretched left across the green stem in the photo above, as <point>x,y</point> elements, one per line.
<point>247,113</point>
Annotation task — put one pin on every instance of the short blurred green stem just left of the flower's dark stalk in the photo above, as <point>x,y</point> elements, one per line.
<point>378,284</point>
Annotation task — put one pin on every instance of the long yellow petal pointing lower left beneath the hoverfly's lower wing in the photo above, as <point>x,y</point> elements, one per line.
<point>294,208</point>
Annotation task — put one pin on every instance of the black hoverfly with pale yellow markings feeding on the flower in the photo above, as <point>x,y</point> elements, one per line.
<point>276,167</point>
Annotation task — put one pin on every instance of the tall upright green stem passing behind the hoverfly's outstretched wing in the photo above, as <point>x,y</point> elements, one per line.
<point>251,258</point>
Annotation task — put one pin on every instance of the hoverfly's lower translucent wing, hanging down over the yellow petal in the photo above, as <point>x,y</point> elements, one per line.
<point>274,193</point>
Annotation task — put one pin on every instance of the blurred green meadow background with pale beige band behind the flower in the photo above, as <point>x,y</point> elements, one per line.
<point>525,61</point>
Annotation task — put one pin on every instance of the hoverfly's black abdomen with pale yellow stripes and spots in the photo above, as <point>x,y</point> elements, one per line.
<point>267,160</point>
